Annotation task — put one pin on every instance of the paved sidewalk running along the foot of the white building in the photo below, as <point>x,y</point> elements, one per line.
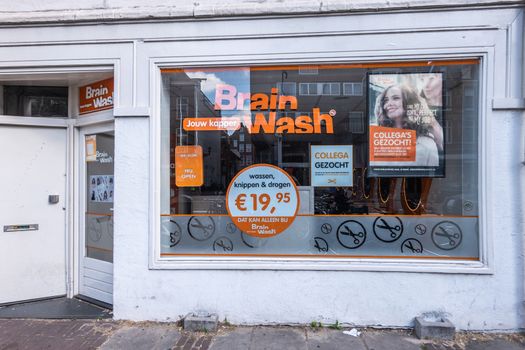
<point>30,334</point>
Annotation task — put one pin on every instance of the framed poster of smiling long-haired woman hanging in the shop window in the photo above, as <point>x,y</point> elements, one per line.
<point>406,118</point>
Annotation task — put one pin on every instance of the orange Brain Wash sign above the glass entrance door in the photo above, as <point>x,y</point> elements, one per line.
<point>96,96</point>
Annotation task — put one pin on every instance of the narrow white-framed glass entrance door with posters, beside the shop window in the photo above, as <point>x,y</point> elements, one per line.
<point>97,194</point>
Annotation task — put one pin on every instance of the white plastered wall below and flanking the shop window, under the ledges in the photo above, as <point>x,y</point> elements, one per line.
<point>361,298</point>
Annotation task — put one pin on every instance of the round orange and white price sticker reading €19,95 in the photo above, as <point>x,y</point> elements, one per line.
<point>262,200</point>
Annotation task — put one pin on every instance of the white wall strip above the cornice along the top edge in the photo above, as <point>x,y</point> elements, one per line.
<point>27,11</point>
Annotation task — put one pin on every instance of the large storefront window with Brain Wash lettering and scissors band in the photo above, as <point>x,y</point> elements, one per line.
<point>375,160</point>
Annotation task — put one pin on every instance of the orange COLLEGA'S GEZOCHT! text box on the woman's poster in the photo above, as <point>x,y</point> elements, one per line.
<point>392,145</point>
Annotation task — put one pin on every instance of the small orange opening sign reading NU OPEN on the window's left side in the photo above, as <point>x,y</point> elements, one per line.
<point>189,166</point>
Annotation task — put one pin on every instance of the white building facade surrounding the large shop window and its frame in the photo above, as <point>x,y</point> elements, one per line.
<point>471,301</point>
